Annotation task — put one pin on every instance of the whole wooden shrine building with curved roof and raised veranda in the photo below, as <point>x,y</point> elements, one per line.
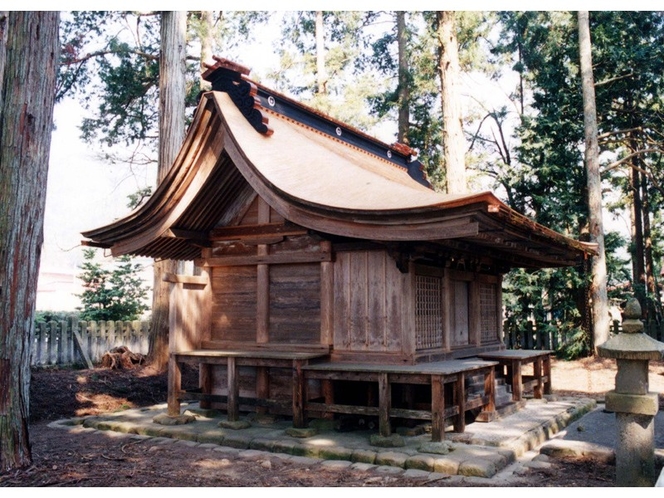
<point>333,278</point>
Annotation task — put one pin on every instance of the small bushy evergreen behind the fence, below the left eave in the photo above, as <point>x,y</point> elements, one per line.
<point>116,294</point>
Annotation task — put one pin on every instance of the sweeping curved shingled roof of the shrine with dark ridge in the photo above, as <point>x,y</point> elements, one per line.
<point>324,181</point>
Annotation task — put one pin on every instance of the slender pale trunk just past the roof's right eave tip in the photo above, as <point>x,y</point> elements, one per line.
<point>598,293</point>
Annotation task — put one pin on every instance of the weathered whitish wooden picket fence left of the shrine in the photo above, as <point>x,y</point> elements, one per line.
<point>70,341</point>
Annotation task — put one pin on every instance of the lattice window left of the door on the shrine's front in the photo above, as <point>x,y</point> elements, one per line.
<point>428,312</point>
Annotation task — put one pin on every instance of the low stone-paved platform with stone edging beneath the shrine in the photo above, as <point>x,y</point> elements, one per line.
<point>482,451</point>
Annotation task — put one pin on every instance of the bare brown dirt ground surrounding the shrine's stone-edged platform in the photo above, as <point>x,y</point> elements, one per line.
<point>61,459</point>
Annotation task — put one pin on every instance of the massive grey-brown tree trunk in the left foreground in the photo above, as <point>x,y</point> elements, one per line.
<point>29,49</point>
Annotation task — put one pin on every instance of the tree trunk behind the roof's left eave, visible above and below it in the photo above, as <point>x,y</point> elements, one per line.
<point>172,69</point>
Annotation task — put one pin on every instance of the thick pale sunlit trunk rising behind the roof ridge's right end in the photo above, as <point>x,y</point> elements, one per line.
<point>454,144</point>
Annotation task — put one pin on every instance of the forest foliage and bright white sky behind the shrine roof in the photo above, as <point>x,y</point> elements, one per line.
<point>522,120</point>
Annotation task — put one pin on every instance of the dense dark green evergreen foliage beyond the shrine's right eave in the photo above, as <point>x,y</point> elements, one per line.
<point>549,182</point>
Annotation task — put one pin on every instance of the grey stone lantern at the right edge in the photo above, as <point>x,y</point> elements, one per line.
<point>635,407</point>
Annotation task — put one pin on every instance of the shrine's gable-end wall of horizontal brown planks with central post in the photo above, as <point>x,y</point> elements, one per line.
<point>277,299</point>
